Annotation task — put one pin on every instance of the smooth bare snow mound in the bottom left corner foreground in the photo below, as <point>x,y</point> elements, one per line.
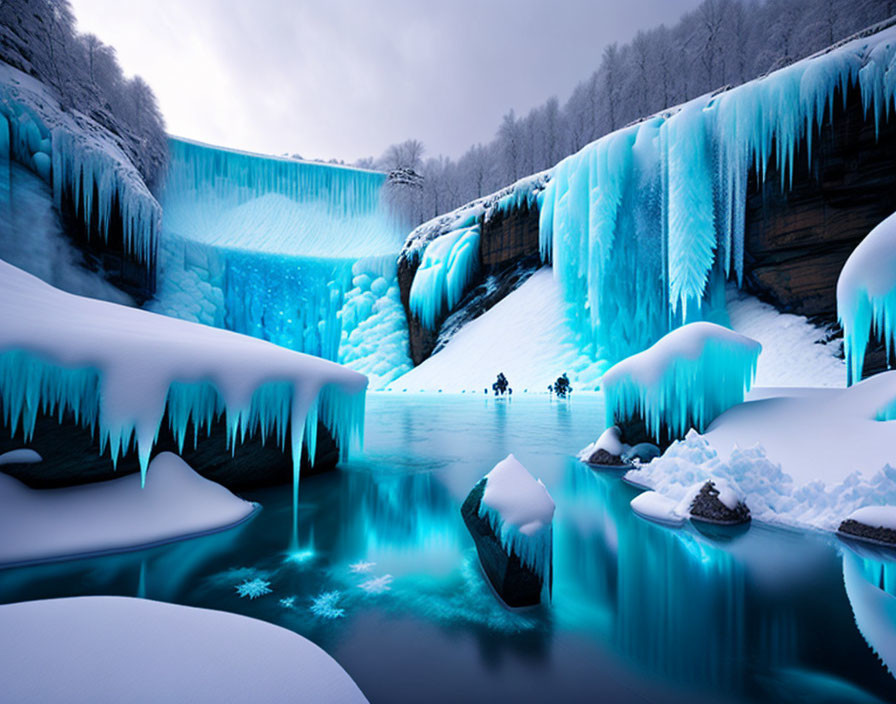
<point>114,649</point>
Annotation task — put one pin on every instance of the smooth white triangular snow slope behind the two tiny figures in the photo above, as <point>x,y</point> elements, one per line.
<point>526,336</point>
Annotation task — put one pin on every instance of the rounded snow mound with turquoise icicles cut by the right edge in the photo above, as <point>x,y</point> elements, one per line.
<point>866,294</point>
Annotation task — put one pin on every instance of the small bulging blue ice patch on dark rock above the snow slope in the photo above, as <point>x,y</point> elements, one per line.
<point>448,265</point>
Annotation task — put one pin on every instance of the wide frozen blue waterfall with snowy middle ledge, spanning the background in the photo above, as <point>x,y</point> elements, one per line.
<point>298,253</point>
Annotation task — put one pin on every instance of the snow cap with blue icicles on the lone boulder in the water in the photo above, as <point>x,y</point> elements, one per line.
<point>520,511</point>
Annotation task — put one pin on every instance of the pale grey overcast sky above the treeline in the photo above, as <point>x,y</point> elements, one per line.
<point>346,78</point>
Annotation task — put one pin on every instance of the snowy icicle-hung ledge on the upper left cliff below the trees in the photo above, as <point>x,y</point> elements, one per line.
<point>82,163</point>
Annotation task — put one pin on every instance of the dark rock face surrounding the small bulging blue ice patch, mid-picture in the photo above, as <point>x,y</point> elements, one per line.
<point>508,248</point>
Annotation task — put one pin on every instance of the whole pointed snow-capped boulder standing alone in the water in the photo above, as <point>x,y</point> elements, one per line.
<point>509,513</point>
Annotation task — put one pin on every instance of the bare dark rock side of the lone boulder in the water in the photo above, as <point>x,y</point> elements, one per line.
<point>516,584</point>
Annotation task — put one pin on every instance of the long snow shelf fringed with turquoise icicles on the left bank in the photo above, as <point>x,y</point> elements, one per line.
<point>116,369</point>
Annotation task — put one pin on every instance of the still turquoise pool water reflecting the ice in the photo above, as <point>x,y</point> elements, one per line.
<point>639,612</point>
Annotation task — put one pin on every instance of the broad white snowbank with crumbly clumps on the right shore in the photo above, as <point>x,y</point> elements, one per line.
<point>803,457</point>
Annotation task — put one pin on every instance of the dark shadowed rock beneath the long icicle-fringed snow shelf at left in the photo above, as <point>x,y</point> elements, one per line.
<point>71,456</point>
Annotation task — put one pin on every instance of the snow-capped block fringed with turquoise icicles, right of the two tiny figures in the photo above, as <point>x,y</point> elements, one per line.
<point>687,379</point>
